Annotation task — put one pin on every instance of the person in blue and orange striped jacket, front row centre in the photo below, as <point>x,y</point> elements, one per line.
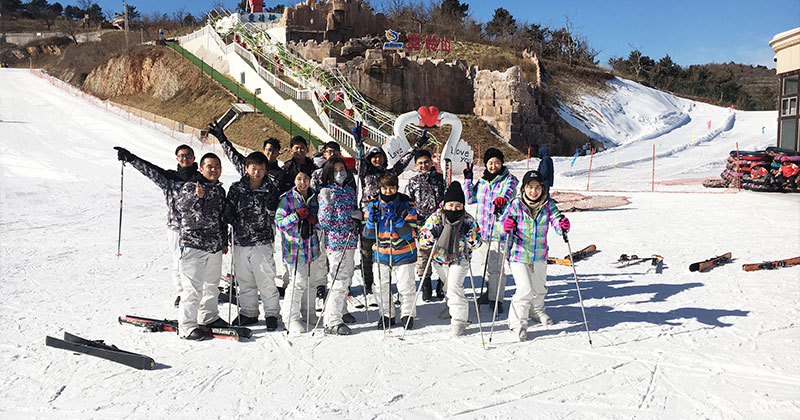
<point>392,222</point>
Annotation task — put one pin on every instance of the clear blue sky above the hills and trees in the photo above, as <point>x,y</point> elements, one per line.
<point>691,32</point>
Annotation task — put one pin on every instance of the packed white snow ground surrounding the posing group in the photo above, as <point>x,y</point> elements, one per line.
<point>721,344</point>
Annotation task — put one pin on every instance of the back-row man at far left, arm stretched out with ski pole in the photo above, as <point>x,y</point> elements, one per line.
<point>170,182</point>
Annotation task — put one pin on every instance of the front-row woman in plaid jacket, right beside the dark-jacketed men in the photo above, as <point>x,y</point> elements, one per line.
<point>296,218</point>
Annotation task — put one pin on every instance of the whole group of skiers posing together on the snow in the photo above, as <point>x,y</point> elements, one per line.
<point>324,211</point>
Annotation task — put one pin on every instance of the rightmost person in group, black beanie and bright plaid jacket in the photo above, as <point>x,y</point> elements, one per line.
<point>527,220</point>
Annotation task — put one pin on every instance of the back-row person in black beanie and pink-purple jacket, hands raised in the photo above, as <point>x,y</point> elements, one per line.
<point>492,192</point>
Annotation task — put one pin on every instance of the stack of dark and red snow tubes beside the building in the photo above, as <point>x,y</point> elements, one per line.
<point>758,171</point>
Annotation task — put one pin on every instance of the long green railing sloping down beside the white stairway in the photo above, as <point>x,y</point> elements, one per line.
<point>245,95</point>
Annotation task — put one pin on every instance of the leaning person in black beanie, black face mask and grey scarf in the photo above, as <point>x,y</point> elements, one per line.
<point>451,234</point>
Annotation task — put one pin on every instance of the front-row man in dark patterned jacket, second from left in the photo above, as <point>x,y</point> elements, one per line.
<point>254,200</point>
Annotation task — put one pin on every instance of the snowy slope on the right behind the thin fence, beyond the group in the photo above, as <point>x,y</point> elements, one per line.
<point>691,139</point>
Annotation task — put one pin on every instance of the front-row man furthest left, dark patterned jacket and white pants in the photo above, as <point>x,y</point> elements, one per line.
<point>204,235</point>
